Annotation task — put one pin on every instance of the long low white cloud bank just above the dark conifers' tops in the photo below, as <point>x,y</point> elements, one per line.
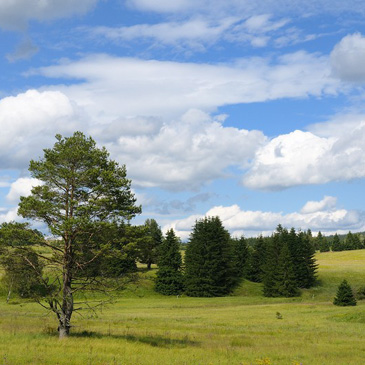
<point>253,223</point>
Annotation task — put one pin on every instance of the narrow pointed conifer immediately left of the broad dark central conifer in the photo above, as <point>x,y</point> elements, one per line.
<point>169,277</point>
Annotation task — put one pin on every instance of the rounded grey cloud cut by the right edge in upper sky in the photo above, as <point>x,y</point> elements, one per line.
<point>348,58</point>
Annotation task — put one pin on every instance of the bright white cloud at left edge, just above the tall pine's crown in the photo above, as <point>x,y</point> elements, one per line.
<point>29,122</point>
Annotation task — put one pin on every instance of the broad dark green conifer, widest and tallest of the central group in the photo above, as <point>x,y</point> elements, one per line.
<point>208,260</point>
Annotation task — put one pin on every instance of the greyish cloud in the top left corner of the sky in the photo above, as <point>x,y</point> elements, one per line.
<point>14,14</point>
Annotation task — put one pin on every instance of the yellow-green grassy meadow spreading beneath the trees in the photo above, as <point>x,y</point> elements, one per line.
<point>142,327</point>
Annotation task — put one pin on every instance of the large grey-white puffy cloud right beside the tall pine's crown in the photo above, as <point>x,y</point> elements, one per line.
<point>186,153</point>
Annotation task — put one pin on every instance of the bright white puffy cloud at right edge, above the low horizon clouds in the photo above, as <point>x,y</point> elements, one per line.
<point>301,157</point>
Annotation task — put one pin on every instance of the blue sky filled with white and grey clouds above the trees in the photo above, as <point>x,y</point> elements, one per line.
<point>252,111</point>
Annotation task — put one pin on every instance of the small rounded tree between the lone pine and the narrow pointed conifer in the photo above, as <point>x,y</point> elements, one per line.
<point>149,246</point>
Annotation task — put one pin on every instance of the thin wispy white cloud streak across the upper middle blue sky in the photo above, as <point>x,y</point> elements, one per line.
<point>198,32</point>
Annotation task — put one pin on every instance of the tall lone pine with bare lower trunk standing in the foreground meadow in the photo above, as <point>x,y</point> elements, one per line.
<point>83,194</point>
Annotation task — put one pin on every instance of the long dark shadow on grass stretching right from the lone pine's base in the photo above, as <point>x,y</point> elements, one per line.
<point>152,340</point>
